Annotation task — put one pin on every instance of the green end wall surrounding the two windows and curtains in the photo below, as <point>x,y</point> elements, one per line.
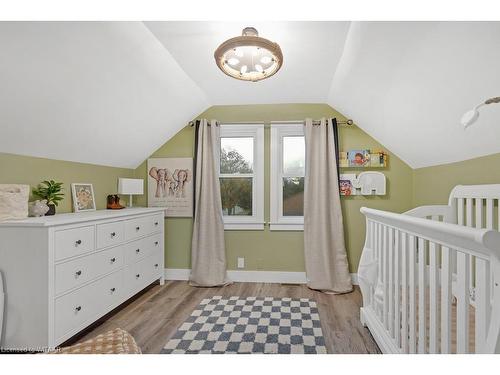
<point>271,250</point>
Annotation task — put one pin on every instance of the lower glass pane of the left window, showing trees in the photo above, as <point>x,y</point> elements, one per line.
<point>236,194</point>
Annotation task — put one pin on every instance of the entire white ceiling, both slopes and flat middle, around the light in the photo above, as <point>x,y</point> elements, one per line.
<point>111,93</point>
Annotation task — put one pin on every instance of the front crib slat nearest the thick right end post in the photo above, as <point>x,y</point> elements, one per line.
<point>462,303</point>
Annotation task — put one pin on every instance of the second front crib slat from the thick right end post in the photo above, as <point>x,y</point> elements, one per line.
<point>446,272</point>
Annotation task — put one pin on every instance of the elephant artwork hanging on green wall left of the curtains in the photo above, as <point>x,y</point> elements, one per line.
<point>170,185</point>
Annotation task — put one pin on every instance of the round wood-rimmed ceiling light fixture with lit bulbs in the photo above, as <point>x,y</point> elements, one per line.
<point>249,57</point>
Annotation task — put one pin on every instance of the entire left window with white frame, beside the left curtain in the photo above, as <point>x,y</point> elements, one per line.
<point>241,176</point>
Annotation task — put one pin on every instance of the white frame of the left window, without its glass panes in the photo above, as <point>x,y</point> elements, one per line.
<point>256,131</point>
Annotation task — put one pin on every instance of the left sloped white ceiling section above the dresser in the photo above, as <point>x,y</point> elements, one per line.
<point>106,93</point>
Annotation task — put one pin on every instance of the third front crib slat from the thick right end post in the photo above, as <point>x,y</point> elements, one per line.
<point>433,291</point>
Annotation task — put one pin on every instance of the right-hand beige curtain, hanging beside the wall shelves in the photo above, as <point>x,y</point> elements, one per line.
<point>325,255</point>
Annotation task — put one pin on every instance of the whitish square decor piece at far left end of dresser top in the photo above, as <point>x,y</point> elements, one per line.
<point>13,201</point>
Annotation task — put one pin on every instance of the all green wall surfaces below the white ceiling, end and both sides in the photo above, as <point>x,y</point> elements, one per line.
<point>265,250</point>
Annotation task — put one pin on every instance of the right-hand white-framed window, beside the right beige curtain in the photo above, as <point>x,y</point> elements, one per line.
<point>287,177</point>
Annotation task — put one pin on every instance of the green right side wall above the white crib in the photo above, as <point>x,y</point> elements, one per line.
<point>432,185</point>
